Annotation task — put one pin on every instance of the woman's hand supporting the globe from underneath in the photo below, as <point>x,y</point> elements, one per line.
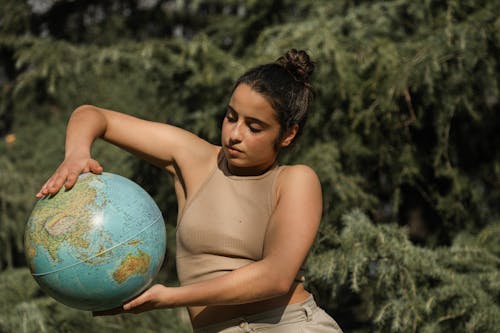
<point>151,299</point>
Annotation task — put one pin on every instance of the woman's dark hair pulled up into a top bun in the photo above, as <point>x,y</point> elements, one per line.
<point>285,85</point>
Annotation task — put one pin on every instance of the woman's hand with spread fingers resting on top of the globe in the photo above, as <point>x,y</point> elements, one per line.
<point>67,173</point>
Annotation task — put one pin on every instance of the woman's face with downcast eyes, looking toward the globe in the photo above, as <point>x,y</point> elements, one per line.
<point>249,132</point>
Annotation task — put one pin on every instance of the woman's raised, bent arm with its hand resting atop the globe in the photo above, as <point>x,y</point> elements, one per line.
<point>164,145</point>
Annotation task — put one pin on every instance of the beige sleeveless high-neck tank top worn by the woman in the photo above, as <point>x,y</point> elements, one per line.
<point>223,226</point>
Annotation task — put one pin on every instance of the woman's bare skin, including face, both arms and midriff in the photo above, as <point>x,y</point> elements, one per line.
<point>249,132</point>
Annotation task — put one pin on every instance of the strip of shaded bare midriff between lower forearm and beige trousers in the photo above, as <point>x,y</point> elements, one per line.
<point>209,315</point>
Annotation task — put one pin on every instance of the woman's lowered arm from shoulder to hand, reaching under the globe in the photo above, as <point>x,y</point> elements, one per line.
<point>291,232</point>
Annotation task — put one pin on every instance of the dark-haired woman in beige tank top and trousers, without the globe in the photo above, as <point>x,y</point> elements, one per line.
<point>245,222</point>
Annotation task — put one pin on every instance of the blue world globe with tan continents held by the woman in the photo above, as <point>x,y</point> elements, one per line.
<point>97,245</point>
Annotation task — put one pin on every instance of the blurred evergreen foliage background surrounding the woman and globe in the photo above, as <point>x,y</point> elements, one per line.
<point>404,134</point>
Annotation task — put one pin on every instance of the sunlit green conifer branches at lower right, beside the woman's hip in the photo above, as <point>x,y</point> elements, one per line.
<point>406,288</point>
